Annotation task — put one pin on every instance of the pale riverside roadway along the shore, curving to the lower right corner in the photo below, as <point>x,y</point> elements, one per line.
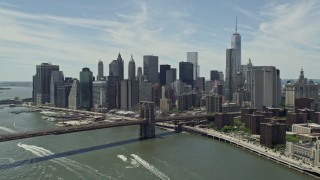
<point>257,149</point>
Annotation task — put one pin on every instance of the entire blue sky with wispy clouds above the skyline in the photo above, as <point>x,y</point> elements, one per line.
<point>76,33</point>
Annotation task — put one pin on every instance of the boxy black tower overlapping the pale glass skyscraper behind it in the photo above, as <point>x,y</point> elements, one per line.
<point>186,72</point>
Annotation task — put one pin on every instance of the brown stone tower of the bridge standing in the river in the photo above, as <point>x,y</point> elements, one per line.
<point>147,130</point>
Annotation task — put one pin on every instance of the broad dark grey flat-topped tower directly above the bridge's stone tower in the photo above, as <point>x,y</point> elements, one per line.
<point>150,68</point>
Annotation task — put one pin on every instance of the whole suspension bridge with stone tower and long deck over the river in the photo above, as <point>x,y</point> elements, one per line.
<point>147,124</point>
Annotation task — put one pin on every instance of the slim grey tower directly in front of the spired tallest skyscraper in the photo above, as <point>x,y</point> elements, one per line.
<point>231,72</point>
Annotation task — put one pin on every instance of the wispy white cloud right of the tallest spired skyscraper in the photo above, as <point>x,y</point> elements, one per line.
<point>287,38</point>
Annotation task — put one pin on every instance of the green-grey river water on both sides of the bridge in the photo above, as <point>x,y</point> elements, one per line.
<point>117,153</point>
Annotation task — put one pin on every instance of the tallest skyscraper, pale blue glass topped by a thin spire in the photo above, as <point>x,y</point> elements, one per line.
<point>236,44</point>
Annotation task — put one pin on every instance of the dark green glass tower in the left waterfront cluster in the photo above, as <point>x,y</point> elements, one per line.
<point>86,78</point>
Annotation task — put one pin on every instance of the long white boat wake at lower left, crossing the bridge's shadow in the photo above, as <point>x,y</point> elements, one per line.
<point>80,170</point>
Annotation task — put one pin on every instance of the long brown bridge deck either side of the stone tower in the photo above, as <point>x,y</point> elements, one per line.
<point>96,125</point>
